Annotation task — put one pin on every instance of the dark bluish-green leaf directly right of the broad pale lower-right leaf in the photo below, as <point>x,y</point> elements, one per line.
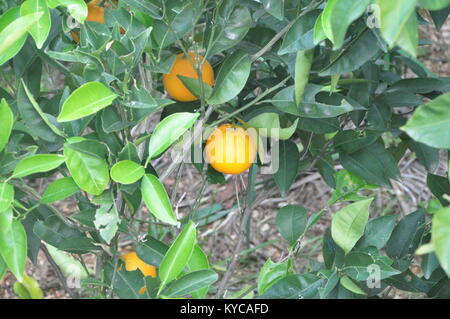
<point>378,231</point>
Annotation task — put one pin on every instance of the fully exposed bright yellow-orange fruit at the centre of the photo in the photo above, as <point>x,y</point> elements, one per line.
<point>230,149</point>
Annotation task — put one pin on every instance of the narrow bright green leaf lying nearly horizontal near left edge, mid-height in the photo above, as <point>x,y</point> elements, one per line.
<point>37,164</point>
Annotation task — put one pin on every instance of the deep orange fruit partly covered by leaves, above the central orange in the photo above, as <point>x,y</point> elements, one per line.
<point>185,66</point>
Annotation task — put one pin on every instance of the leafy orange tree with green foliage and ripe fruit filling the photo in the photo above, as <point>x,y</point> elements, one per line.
<point>324,76</point>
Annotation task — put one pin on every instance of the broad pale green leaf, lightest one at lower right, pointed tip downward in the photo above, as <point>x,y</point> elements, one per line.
<point>348,224</point>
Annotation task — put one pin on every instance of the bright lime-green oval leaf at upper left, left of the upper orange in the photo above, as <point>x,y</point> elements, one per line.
<point>88,99</point>
